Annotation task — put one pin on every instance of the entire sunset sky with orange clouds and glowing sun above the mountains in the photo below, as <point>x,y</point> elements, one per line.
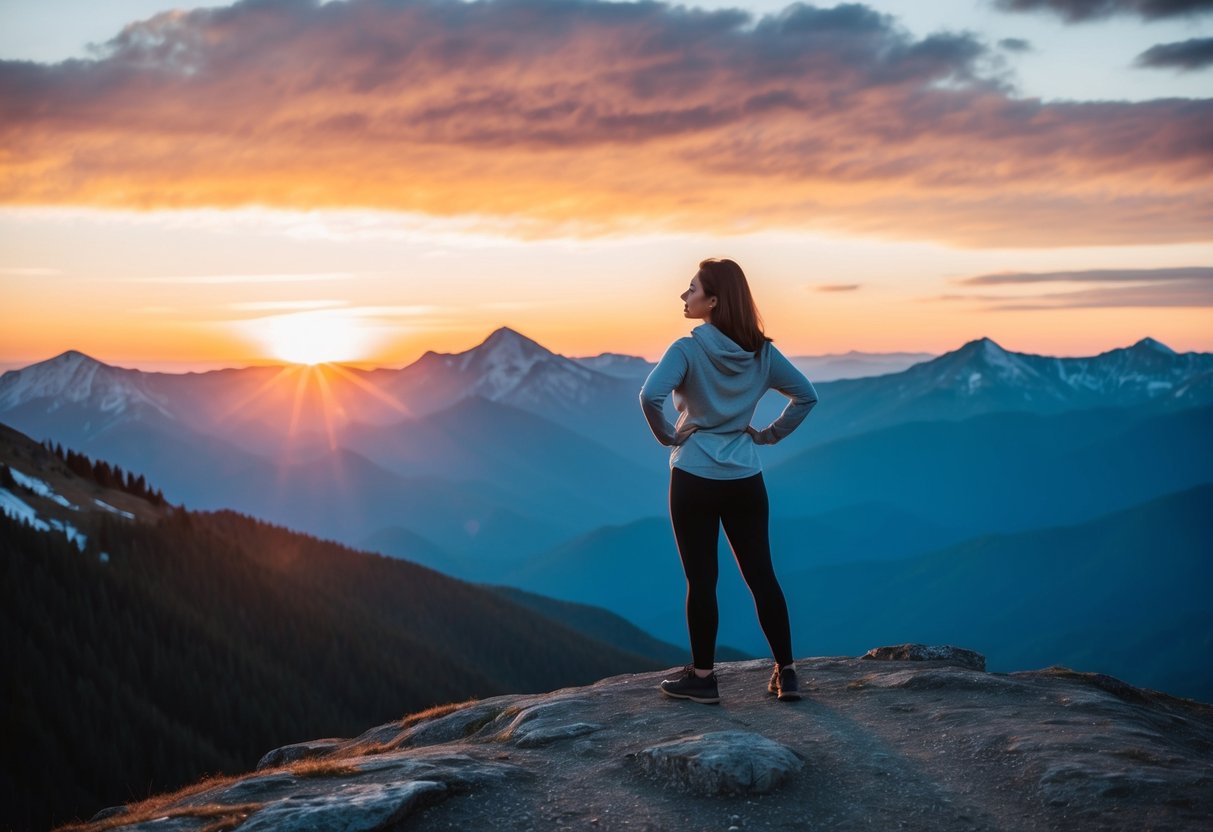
<point>365,180</point>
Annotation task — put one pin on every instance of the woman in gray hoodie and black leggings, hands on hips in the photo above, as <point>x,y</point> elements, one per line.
<point>717,377</point>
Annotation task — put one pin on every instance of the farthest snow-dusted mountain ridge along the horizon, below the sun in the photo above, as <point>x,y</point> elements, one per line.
<point>593,396</point>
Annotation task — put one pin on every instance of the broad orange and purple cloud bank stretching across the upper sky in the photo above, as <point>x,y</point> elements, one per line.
<point>591,117</point>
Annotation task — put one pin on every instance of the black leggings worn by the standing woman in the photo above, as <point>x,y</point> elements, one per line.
<point>698,509</point>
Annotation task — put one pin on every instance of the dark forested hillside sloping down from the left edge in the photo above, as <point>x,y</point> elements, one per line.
<point>162,652</point>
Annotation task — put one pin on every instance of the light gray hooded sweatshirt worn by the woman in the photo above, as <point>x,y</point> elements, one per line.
<point>716,387</point>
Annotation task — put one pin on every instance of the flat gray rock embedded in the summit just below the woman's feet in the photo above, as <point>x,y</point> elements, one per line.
<point>722,763</point>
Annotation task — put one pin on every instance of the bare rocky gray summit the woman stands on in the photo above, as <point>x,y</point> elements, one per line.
<point>909,738</point>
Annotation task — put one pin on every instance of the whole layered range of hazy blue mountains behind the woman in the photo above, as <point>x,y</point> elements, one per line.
<point>511,465</point>
